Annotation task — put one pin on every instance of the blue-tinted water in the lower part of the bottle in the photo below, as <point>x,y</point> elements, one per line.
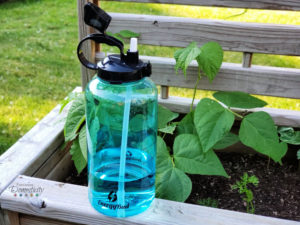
<point>139,182</point>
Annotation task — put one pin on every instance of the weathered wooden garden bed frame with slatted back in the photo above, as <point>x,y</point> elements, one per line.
<point>37,158</point>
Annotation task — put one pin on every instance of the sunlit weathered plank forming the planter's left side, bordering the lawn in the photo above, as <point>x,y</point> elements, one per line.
<point>33,149</point>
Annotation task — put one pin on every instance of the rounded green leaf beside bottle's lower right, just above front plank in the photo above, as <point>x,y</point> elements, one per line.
<point>173,184</point>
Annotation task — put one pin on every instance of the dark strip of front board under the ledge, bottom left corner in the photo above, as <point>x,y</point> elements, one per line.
<point>34,220</point>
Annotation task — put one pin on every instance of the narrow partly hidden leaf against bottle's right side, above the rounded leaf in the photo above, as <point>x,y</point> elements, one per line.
<point>163,158</point>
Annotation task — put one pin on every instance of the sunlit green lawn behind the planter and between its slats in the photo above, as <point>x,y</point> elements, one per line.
<point>39,66</point>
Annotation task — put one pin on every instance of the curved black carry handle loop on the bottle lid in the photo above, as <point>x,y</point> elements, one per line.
<point>98,38</point>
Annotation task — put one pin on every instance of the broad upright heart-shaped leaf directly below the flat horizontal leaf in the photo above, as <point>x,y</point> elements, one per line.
<point>212,122</point>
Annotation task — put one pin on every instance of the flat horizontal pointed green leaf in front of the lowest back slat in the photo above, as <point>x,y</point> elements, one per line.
<point>239,99</point>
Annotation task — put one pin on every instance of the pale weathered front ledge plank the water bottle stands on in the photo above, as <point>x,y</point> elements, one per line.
<point>70,203</point>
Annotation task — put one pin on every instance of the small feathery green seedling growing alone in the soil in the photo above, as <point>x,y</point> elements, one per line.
<point>242,187</point>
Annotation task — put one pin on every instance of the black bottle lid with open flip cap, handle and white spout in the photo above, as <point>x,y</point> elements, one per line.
<point>118,68</point>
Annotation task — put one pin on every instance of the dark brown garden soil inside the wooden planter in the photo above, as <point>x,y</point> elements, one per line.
<point>277,195</point>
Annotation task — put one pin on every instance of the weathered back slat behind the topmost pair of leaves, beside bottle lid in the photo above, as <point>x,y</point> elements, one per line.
<point>262,80</point>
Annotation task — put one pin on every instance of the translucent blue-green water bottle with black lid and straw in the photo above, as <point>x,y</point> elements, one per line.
<point>121,121</point>
